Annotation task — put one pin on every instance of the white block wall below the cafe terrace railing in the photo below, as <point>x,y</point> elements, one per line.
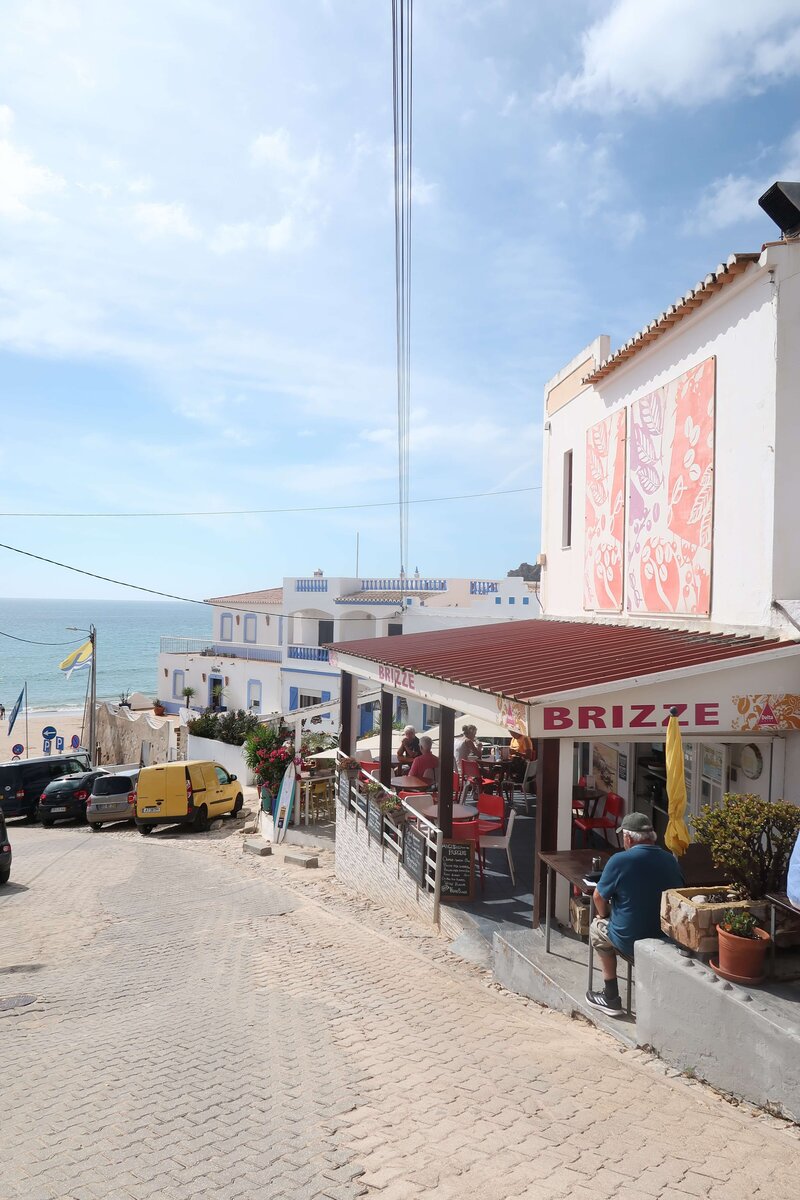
<point>380,875</point>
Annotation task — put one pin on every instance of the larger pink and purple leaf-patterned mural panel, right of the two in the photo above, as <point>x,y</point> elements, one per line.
<point>671,496</point>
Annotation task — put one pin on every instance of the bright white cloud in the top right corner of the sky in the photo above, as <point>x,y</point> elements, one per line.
<point>683,53</point>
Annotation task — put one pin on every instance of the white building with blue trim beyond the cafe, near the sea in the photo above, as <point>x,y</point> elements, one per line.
<point>267,650</point>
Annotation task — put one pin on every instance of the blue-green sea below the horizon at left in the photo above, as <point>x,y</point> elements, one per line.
<point>129,634</point>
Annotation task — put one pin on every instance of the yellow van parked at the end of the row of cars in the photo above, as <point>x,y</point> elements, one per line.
<point>185,794</point>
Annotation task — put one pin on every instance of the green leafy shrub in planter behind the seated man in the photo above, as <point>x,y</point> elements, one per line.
<point>750,839</point>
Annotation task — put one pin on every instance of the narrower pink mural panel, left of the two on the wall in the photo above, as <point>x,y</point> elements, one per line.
<point>605,515</point>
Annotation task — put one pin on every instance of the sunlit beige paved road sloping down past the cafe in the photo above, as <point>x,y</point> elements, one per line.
<point>209,1025</point>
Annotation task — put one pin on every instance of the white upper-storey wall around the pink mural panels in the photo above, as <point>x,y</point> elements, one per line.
<point>737,326</point>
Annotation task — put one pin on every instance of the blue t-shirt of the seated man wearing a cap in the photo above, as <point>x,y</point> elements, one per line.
<point>634,881</point>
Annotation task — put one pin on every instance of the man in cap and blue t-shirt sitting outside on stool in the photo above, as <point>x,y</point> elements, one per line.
<point>630,889</point>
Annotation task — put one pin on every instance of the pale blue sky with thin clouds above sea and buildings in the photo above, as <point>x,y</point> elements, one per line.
<point>197,289</point>
